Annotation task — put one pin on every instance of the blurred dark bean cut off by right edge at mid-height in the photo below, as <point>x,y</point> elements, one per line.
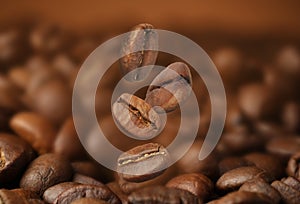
<point>291,116</point>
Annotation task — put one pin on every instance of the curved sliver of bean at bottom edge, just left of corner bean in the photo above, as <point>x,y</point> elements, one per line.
<point>259,185</point>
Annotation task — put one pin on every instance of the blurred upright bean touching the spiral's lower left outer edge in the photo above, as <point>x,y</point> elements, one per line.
<point>67,142</point>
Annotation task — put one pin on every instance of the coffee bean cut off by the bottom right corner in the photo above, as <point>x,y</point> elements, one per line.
<point>288,194</point>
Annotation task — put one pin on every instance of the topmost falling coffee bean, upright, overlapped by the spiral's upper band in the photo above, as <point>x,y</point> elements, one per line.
<point>145,40</point>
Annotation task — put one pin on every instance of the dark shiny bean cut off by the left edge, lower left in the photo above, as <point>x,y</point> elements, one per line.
<point>15,154</point>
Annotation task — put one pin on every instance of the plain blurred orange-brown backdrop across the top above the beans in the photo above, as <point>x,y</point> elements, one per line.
<point>269,18</point>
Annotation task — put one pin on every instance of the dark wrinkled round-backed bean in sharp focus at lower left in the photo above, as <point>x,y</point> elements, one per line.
<point>46,171</point>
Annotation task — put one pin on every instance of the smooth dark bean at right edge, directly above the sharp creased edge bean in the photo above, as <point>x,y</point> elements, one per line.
<point>284,147</point>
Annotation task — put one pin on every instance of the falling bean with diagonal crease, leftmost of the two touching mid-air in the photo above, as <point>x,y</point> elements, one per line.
<point>136,117</point>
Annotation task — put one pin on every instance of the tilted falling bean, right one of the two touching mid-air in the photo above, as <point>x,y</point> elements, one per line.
<point>170,87</point>
